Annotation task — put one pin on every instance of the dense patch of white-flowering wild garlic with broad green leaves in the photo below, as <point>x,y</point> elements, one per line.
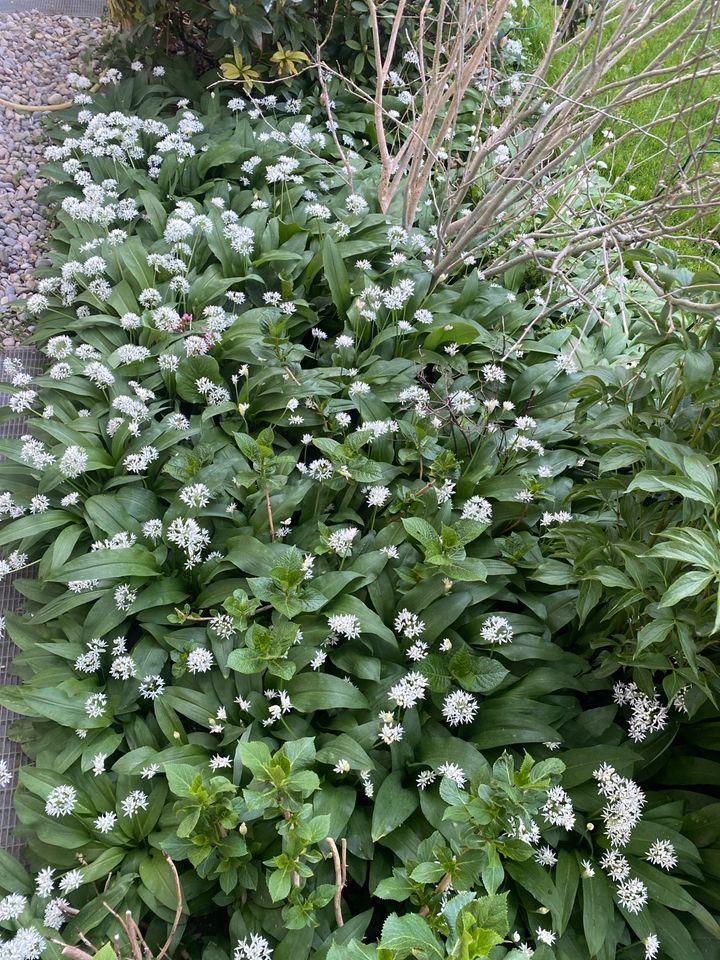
<point>298,622</point>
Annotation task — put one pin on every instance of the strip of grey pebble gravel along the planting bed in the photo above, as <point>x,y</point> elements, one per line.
<point>37,51</point>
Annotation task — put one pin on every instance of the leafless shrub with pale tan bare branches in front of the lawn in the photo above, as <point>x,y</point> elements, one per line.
<point>519,189</point>
